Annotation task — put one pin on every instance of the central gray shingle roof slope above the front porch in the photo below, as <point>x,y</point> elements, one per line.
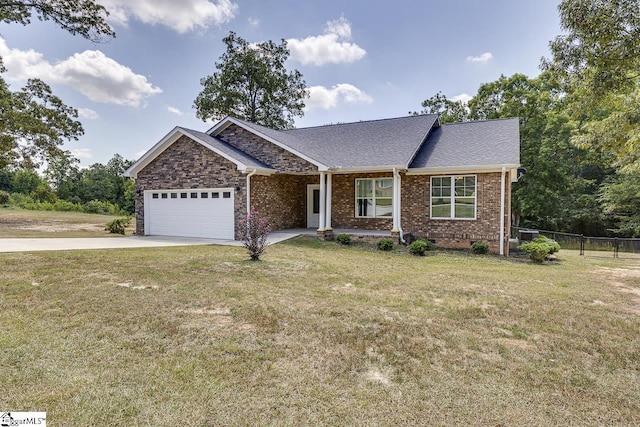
<point>370,144</point>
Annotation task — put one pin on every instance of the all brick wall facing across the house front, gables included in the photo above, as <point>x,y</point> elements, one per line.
<point>282,198</point>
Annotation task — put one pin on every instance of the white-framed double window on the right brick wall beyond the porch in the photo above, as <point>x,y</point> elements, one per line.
<point>453,197</point>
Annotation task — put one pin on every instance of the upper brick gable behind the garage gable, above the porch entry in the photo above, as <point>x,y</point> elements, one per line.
<point>265,151</point>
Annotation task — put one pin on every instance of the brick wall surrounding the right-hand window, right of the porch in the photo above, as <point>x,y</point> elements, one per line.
<point>456,233</point>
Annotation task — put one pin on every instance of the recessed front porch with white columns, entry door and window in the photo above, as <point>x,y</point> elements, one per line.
<point>329,204</point>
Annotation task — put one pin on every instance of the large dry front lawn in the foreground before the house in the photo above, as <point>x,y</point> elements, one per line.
<point>318,334</point>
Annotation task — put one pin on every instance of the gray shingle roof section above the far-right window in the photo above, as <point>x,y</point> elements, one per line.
<point>471,144</point>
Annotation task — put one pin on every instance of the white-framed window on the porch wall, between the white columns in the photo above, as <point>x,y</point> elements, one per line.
<point>374,198</point>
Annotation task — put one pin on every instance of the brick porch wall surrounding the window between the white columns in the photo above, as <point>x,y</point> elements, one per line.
<point>343,203</point>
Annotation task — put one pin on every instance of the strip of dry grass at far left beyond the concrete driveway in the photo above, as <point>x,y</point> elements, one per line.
<point>16,222</point>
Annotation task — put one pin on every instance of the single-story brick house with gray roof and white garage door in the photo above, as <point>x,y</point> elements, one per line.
<point>410,176</point>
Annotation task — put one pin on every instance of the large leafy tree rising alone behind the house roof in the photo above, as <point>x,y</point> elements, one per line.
<point>252,83</point>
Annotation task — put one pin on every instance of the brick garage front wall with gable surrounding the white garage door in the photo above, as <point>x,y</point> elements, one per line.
<point>185,165</point>
